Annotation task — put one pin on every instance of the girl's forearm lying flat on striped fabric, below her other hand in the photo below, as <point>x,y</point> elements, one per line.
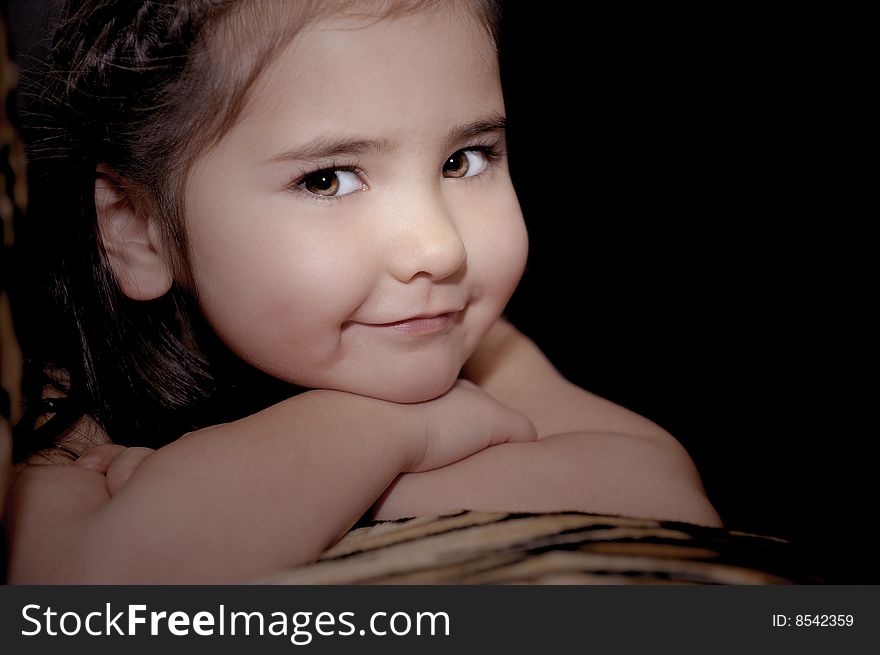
<point>599,473</point>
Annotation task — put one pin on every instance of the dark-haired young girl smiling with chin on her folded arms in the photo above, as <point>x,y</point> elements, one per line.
<point>280,237</point>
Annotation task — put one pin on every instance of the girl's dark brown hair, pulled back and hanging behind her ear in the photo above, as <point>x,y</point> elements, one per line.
<point>142,88</point>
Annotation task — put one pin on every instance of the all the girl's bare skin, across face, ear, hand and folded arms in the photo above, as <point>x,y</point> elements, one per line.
<point>389,414</point>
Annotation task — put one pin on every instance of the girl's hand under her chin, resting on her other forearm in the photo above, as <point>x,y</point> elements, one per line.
<point>464,421</point>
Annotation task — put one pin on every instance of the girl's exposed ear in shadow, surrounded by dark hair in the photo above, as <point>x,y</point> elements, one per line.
<point>130,239</point>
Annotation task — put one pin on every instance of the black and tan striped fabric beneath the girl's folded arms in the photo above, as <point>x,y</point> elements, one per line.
<point>556,548</point>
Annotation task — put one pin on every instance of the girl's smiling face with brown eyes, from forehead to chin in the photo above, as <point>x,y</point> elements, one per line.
<point>357,228</point>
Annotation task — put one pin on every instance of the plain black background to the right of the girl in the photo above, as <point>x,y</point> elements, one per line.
<point>695,255</point>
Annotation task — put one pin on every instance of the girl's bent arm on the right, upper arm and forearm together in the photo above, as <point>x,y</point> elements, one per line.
<point>592,455</point>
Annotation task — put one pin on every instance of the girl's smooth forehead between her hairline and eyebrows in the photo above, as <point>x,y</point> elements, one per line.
<point>342,71</point>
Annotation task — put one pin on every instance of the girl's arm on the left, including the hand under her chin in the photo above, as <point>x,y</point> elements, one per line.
<point>238,500</point>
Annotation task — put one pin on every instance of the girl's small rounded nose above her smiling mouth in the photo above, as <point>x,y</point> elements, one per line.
<point>427,242</point>
